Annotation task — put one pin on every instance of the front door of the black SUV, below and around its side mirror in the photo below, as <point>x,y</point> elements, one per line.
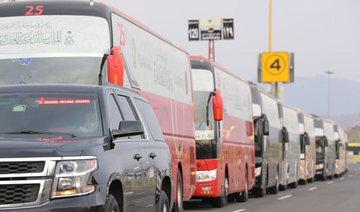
<point>132,155</point>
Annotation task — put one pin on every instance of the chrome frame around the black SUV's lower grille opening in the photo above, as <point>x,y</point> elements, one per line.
<point>41,198</point>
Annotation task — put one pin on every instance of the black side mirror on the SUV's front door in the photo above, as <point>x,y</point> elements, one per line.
<point>128,128</point>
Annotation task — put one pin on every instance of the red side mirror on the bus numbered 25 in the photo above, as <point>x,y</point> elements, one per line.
<point>116,67</point>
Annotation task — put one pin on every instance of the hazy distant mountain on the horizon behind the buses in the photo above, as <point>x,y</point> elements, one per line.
<point>311,95</point>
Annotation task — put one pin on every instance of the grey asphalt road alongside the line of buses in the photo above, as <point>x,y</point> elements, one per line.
<point>337,195</point>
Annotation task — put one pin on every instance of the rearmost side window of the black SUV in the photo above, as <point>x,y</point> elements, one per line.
<point>150,118</point>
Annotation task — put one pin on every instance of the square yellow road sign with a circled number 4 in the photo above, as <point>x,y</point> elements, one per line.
<point>275,67</point>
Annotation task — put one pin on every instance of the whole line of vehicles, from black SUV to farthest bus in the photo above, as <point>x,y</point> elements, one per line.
<point>103,114</point>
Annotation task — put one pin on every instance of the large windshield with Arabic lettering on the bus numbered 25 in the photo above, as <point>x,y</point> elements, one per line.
<point>54,49</point>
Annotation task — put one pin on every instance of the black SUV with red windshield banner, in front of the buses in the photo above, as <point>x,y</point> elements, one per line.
<point>81,148</point>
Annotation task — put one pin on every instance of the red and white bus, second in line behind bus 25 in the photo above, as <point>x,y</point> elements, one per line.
<point>225,155</point>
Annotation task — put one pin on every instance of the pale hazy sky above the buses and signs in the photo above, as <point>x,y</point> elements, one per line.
<point>324,34</point>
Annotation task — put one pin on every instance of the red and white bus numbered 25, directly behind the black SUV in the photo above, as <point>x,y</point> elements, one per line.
<point>82,42</point>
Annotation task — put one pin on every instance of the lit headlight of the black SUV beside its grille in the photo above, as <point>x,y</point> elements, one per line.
<point>72,178</point>
